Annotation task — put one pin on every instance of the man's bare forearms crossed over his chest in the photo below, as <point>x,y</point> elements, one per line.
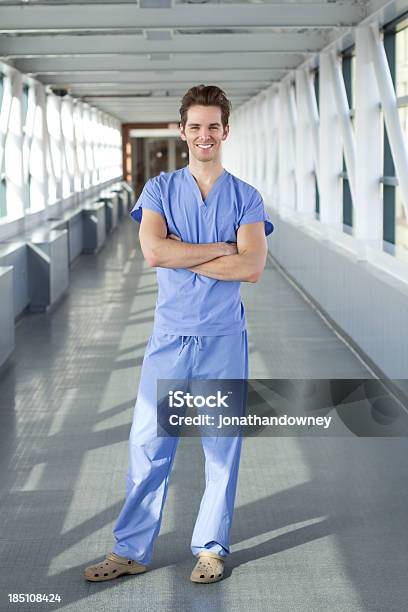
<point>244,261</point>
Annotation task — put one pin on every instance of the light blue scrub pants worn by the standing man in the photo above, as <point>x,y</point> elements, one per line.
<point>151,457</point>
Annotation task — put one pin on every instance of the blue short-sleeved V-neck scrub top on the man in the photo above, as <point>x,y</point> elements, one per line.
<point>189,303</point>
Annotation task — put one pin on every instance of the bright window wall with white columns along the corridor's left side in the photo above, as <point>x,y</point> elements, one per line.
<point>52,146</point>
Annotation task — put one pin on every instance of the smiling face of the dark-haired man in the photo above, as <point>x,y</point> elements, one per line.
<point>204,132</point>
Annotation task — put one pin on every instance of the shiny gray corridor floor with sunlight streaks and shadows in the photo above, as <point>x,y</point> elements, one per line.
<point>320,524</point>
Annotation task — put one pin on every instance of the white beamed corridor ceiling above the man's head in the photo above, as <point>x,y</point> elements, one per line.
<point>136,59</point>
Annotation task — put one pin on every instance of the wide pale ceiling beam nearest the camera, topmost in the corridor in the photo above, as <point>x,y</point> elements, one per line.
<point>86,17</point>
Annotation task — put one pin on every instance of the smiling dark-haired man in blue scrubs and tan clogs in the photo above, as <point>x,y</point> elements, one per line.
<point>204,230</point>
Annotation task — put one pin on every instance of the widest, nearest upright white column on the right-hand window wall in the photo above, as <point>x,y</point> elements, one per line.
<point>368,208</point>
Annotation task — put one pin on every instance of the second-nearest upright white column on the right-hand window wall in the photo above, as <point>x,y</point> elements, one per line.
<point>330,153</point>
